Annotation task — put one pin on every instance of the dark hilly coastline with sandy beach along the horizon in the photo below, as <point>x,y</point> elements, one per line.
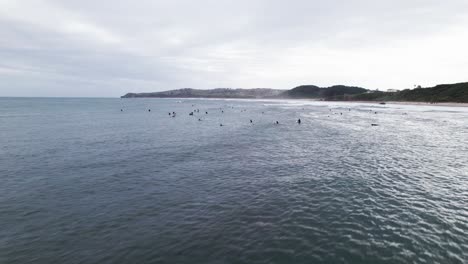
<point>440,93</point>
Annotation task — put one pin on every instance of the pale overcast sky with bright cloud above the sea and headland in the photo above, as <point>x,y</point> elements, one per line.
<point>110,47</point>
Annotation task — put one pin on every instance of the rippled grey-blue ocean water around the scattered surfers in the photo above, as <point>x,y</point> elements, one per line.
<point>83,182</point>
